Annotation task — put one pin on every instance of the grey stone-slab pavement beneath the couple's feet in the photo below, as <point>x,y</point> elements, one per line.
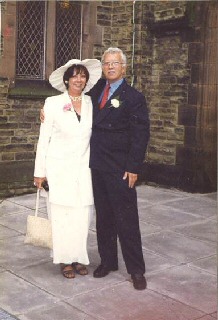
<point>179,236</point>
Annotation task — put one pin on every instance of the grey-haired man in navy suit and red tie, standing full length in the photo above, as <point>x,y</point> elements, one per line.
<point>119,139</point>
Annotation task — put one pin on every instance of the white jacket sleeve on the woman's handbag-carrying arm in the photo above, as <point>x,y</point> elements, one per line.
<point>43,142</point>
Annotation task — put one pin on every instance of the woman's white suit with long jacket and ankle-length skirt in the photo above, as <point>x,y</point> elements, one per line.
<point>63,158</point>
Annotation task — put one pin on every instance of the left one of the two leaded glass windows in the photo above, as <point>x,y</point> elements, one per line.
<point>31,39</point>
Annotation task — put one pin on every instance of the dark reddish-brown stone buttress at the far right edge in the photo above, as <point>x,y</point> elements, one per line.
<point>199,116</point>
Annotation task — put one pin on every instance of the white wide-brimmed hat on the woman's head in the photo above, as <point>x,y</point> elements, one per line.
<point>93,66</point>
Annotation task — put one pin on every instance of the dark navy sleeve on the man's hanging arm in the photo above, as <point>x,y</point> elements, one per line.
<point>139,133</point>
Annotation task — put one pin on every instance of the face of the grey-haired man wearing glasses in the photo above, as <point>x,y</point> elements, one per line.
<point>113,67</point>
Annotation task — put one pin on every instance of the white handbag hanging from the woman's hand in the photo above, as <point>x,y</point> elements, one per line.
<point>38,231</point>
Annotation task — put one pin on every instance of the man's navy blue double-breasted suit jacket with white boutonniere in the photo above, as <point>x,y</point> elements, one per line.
<point>119,135</point>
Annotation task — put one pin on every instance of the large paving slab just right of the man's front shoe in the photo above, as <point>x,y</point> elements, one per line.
<point>190,286</point>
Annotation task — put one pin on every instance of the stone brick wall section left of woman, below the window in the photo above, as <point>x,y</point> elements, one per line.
<point>19,129</point>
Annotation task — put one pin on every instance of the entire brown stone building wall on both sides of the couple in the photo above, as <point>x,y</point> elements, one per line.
<point>171,54</point>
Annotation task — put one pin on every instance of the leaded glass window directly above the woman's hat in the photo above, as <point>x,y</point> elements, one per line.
<point>68,32</point>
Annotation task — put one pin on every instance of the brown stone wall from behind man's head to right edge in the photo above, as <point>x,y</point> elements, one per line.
<point>167,37</point>
